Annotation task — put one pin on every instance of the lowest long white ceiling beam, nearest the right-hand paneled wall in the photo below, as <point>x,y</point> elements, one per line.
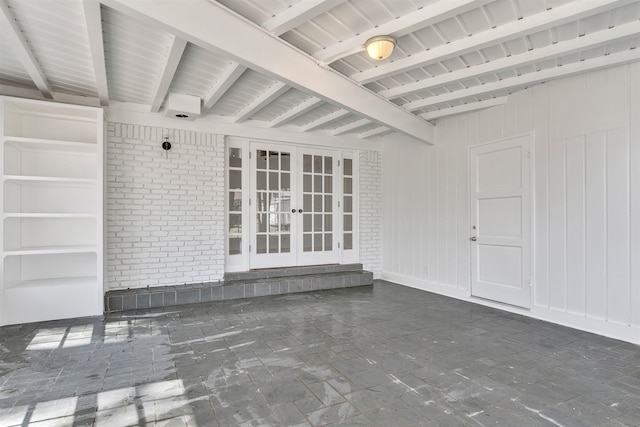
<point>530,78</point>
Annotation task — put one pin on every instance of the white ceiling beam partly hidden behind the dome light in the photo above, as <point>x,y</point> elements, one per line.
<point>399,27</point>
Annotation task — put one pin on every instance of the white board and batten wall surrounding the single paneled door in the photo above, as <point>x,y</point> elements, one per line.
<point>585,134</point>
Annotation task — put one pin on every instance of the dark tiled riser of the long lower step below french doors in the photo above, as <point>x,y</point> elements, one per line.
<point>132,299</point>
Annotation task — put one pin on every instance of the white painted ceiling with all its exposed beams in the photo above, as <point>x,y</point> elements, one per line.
<point>301,65</point>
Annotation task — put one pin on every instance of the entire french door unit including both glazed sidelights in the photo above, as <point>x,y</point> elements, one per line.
<point>288,205</point>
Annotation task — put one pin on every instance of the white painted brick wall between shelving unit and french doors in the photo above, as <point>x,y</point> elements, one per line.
<point>165,215</point>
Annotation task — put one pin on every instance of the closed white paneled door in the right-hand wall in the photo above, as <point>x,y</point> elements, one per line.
<point>500,221</point>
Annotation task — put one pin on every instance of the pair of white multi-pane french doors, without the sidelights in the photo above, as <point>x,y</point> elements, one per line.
<point>294,206</point>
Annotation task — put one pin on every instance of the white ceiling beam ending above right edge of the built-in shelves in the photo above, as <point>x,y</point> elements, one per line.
<point>93,21</point>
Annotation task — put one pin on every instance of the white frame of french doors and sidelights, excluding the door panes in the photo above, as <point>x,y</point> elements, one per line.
<point>240,230</point>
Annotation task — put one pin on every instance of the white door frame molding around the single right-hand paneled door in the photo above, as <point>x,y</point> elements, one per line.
<point>531,136</point>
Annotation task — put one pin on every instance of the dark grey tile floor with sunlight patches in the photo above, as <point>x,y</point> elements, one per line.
<point>384,355</point>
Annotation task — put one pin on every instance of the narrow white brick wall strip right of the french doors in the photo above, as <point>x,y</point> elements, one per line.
<point>371,211</point>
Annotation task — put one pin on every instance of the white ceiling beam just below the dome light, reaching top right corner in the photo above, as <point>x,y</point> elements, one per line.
<point>544,20</point>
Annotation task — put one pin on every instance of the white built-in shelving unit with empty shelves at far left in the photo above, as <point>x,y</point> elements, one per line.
<point>51,200</point>
